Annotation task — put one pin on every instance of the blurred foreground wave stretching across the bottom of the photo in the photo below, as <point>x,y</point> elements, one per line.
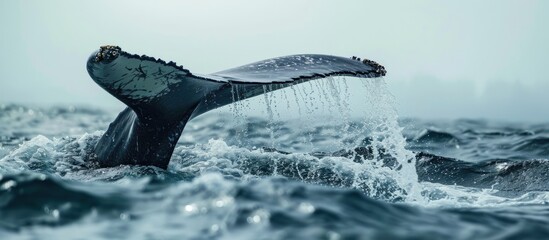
<point>212,206</point>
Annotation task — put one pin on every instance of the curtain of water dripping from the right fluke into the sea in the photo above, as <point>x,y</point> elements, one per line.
<point>379,126</point>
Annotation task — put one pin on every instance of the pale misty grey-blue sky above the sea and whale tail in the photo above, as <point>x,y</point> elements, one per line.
<point>459,59</point>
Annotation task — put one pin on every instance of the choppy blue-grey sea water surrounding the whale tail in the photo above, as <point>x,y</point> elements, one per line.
<point>304,163</point>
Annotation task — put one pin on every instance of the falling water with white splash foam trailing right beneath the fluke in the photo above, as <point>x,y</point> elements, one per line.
<point>385,169</point>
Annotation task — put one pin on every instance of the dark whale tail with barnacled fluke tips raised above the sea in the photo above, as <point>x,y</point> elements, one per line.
<point>161,97</point>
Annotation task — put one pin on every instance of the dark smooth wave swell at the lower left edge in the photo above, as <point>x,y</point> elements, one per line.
<point>28,199</point>
